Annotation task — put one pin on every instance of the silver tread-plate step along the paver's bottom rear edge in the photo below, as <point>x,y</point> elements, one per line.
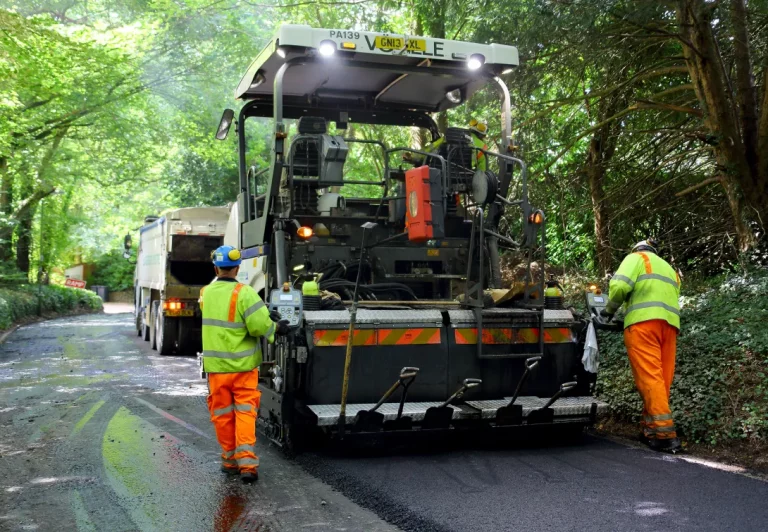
<point>566,409</point>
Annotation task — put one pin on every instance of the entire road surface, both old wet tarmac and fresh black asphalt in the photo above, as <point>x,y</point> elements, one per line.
<point>98,432</point>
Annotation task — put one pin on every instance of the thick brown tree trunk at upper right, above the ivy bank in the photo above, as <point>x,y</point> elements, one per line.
<point>737,124</point>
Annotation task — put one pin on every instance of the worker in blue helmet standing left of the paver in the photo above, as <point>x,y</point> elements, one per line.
<point>234,321</point>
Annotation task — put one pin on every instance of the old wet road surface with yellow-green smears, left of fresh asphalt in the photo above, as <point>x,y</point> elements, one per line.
<point>98,432</point>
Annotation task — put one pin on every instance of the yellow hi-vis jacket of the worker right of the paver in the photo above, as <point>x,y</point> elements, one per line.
<point>649,287</point>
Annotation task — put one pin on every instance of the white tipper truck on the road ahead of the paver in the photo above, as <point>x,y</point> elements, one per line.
<point>173,262</point>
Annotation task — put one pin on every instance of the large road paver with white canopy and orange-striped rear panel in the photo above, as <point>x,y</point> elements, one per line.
<point>400,323</point>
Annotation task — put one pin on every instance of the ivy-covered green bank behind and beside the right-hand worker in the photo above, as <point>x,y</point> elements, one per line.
<point>720,391</point>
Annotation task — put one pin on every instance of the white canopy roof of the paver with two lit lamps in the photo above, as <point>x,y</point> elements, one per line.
<point>364,70</point>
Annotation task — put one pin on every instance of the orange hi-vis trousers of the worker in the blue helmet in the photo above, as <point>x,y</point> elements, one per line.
<point>233,401</point>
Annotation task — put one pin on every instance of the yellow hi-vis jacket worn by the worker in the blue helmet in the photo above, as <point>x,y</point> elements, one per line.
<point>234,320</point>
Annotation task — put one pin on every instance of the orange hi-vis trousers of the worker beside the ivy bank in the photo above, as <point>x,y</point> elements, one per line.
<point>651,346</point>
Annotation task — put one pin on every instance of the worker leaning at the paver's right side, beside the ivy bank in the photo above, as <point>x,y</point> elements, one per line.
<point>649,288</point>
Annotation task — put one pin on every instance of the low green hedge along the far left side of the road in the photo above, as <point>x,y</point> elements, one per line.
<point>21,301</point>
